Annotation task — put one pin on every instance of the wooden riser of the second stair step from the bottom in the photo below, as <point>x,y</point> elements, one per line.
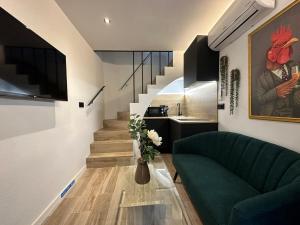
<point>102,148</point>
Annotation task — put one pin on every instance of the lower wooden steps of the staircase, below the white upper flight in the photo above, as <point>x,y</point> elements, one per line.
<point>112,145</point>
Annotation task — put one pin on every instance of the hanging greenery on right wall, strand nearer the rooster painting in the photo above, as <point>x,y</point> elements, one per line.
<point>234,89</point>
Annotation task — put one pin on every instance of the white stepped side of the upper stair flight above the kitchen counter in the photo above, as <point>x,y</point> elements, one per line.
<point>170,74</point>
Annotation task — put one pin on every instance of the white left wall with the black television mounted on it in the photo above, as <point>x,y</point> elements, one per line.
<point>43,145</point>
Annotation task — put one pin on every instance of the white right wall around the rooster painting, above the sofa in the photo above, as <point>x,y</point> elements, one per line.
<point>282,133</point>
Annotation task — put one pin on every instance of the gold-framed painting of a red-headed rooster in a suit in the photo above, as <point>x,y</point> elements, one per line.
<point>274,67</point>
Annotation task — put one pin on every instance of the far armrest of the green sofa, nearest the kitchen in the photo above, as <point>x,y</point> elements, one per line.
<point>196,144</point>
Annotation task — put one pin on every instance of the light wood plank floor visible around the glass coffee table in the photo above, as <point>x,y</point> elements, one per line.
<point>87,203</point>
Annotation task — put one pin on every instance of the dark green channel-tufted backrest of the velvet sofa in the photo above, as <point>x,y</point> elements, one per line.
<point>263,165</point>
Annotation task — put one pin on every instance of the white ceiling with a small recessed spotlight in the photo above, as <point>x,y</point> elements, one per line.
<point>143,24</point>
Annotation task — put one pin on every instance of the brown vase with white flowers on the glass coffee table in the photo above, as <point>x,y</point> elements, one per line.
<point>148,141</point>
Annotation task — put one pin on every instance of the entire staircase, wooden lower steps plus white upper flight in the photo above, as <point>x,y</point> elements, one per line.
<point>112,145</point>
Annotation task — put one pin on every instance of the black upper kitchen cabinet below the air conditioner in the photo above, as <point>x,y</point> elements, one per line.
<point>200,62</point>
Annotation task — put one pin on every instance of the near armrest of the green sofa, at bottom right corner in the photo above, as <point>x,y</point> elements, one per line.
<point>278,207</point>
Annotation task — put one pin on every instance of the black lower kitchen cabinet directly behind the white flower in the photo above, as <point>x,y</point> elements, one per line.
<point>161,126</point>
